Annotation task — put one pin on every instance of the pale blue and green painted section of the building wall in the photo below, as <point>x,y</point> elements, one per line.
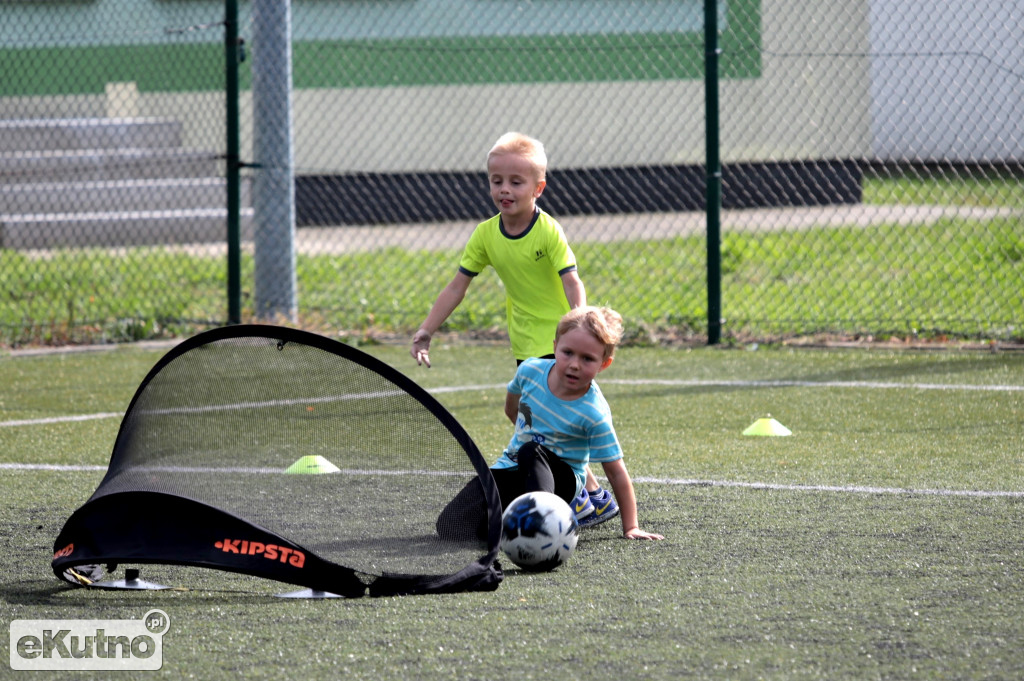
<point>177,46</point>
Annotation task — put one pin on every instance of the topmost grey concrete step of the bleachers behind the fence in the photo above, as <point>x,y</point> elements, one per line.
<point>89,134</point>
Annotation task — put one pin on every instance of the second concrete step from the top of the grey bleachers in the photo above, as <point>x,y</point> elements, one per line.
<point>100,165</point>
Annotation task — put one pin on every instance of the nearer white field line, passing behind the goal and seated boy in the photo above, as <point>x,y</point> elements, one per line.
<point>692,483</point>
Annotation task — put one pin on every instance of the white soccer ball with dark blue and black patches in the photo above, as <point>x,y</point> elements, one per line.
<point>539,532</point>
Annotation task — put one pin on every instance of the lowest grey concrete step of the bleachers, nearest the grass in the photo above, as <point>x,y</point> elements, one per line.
<point>105,230</point>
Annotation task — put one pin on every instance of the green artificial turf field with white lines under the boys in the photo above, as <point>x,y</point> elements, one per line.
<point>883,540</point>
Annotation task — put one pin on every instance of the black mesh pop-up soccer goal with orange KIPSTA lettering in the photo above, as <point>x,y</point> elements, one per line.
<point>289,456</point>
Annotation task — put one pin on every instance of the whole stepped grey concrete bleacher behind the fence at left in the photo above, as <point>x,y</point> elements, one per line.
<point>110,183</point>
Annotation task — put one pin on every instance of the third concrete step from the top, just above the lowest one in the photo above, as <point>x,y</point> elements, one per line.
<point>133,195</point>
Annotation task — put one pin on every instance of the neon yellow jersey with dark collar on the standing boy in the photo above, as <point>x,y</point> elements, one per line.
<point>531,267</point>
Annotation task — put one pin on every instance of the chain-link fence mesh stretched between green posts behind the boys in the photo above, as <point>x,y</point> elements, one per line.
<point>873,153</point>
